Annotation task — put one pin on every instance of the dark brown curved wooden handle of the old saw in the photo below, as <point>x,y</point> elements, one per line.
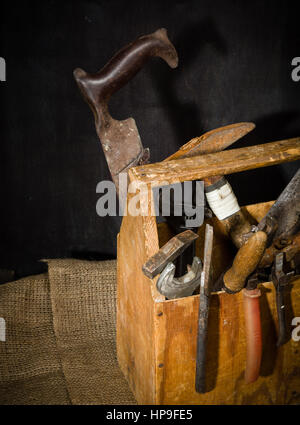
<point>97,88</point>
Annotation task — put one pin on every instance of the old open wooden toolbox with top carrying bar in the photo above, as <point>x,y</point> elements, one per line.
<point>156,338</point>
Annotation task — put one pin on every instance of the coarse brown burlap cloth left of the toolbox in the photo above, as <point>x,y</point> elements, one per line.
<point>60,337</point>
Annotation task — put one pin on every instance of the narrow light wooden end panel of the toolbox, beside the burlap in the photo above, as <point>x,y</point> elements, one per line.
<point>137,241</point>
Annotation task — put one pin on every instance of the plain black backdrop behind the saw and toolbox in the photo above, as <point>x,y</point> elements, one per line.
<point>234,65</point>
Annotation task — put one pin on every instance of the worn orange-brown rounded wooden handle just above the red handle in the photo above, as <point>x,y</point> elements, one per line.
<point>245,262</point>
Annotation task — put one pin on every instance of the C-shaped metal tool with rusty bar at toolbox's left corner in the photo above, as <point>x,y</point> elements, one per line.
<point>161,262</point>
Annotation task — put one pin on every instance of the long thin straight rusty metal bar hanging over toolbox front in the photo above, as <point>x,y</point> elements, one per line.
<point>205,291</point>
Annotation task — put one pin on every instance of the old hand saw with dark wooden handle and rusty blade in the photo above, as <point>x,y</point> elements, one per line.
<point>120,139</point>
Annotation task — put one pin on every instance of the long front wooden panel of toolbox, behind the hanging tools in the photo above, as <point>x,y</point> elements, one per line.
<point>279,381</point>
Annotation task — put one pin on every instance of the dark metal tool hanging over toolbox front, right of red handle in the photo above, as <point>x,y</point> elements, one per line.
<point>281,275</point>
